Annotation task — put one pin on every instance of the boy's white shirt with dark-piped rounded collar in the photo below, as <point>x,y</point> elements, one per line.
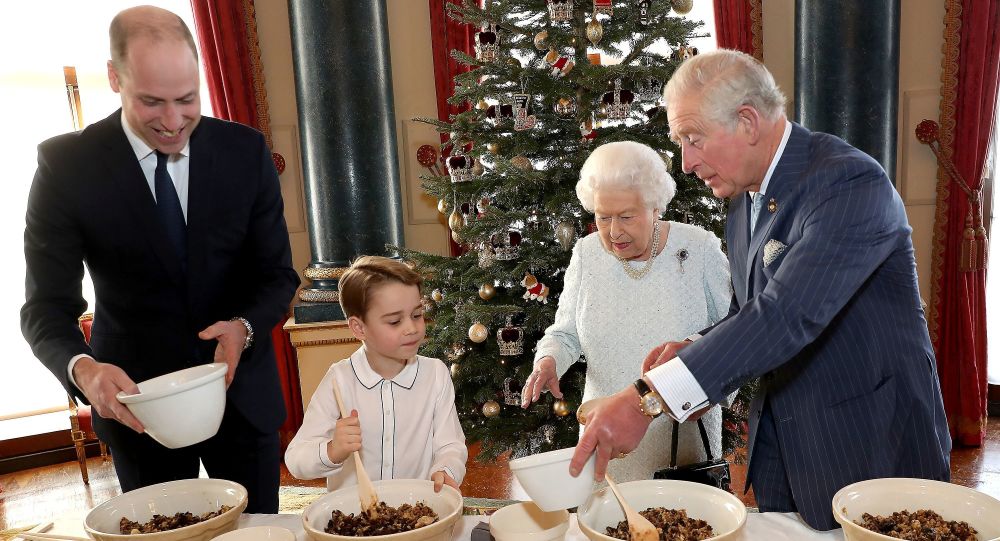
<point>409,424</point>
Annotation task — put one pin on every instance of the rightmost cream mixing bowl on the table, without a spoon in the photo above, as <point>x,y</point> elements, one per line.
<point>886,496</point>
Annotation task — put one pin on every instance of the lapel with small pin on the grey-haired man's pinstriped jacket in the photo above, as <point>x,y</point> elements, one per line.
<point>792,163</point>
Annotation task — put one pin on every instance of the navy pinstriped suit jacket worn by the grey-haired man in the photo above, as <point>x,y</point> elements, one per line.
<point>833,327</point>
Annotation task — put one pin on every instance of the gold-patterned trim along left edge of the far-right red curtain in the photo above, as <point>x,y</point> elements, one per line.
<point>946,138</point>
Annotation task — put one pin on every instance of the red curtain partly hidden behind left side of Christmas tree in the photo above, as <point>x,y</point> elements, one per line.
<point>448,35</point>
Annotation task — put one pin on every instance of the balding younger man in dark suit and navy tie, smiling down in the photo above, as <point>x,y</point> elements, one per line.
<point>180,221</point>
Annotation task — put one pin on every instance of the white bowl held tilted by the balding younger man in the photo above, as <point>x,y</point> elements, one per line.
<point>183,407</point>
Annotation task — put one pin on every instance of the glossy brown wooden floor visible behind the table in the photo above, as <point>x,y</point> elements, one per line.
<point>41,494</point>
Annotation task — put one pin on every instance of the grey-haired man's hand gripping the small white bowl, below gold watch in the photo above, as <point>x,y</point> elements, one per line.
<point>614,427</point>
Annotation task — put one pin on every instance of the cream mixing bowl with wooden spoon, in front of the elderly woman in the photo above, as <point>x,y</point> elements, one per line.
<point>723,511</point>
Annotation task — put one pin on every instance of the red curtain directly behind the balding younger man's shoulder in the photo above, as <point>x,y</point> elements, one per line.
<point>230,53</point>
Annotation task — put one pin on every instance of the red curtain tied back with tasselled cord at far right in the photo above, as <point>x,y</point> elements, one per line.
<point>957,318</point>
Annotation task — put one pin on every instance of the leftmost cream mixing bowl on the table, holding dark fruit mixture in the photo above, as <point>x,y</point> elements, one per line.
<point>197,496</point>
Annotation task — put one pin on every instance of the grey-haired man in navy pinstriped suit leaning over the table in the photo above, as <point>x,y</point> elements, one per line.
<point>825,310</point>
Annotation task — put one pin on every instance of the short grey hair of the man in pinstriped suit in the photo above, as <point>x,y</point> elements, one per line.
<point>726,80</point>
